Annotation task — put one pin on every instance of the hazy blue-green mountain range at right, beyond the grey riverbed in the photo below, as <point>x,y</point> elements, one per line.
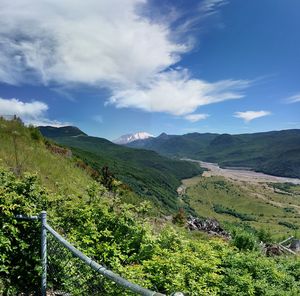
<point>275,152</point>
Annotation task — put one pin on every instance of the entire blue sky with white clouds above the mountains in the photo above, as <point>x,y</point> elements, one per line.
<point>112,67</point>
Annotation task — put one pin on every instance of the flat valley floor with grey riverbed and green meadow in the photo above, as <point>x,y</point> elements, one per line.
<point>246,198</point>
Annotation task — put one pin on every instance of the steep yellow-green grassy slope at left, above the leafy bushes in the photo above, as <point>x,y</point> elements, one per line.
<point>56,172</point>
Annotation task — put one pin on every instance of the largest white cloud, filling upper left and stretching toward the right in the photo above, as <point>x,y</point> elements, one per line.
<point>107,43</point>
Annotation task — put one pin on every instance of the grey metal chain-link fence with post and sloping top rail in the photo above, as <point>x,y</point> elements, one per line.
<point>71,272</point>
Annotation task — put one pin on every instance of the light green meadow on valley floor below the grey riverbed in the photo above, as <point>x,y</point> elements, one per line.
<point>257,201</point>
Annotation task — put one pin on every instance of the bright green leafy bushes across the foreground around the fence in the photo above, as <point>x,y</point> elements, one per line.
<point>118,235</point>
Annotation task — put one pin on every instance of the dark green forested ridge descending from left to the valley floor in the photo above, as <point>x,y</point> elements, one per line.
<point>146,172</point>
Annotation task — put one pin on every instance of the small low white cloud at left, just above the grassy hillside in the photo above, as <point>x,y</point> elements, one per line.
<point>30,112</point>
